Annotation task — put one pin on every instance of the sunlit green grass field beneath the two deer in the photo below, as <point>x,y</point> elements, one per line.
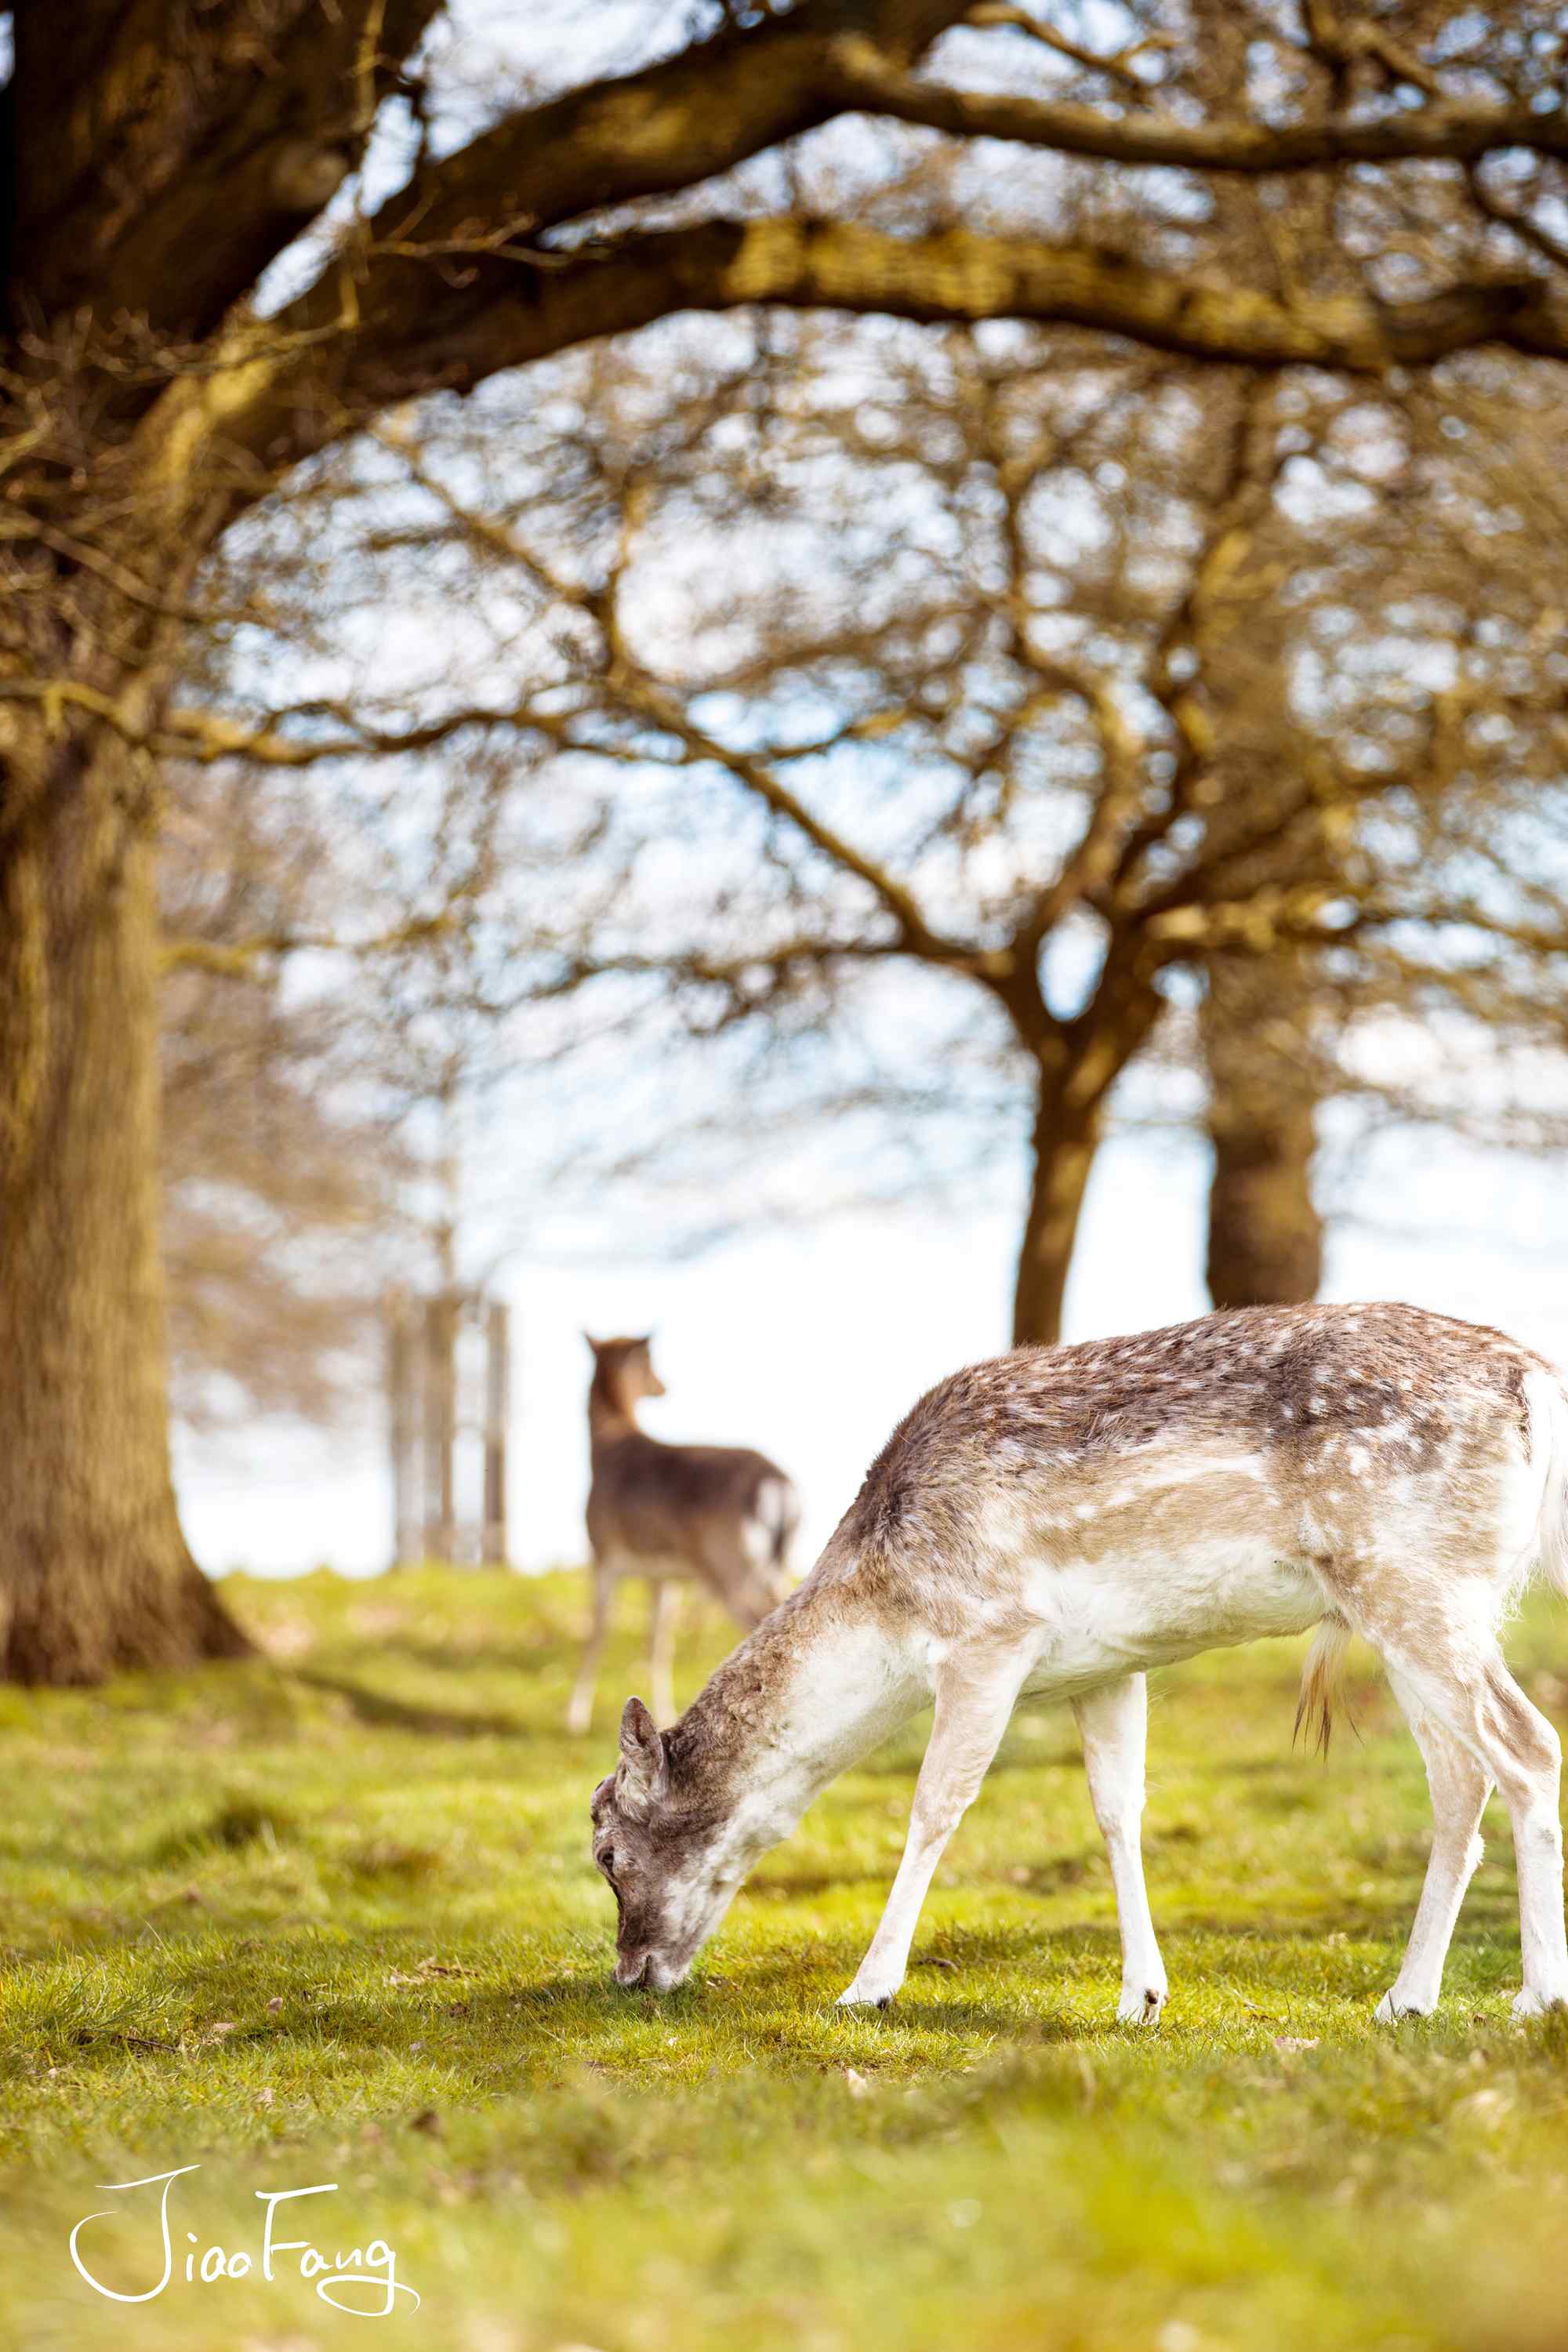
<point>330,1918</point>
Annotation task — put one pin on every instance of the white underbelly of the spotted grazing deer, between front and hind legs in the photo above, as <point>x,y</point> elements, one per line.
<point>1120,1617</point>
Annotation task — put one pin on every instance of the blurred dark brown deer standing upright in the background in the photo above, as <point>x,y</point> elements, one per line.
<point>713,1516</point>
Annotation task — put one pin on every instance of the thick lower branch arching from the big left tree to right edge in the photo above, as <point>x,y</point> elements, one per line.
<point>276,413</point>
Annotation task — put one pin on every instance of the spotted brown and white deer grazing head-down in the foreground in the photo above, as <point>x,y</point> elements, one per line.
<point>1064,1518</point>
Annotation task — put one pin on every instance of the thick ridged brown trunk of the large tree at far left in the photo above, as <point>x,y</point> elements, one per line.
<point>95,1572</point>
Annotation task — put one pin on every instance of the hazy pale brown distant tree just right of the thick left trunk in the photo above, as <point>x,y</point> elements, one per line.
<point>283,1118</point>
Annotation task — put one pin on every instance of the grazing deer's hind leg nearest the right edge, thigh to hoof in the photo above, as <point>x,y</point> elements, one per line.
<point>1459,1678</point>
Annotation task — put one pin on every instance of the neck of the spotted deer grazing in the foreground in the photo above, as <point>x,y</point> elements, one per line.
<point>815,1690</point>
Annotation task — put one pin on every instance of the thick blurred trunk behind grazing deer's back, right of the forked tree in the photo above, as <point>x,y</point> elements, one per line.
<point>1266,1236</point>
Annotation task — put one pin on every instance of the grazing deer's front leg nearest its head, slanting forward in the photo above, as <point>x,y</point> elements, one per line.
<point>972,1711</point>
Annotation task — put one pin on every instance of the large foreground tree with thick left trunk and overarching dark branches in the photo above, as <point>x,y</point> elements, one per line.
<point>159,387</point>
